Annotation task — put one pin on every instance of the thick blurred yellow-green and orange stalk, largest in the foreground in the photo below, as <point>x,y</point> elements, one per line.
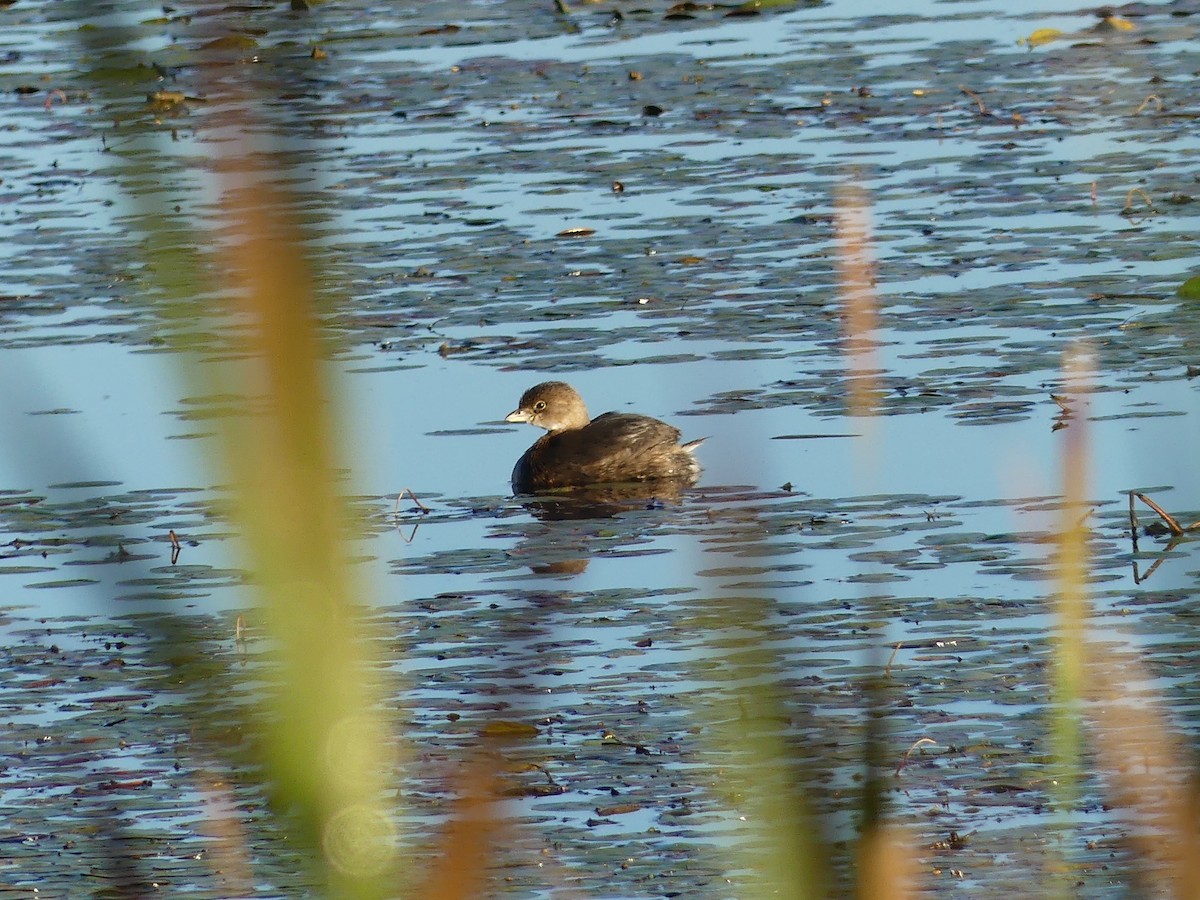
<point>326,741</point>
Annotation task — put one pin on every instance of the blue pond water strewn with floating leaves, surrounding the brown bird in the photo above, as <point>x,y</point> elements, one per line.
<point>439,170</point>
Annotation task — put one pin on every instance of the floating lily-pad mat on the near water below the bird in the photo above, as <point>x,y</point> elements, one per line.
<point>586,703</point>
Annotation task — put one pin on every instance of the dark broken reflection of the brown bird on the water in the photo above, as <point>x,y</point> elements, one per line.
<point>575,523</point>
